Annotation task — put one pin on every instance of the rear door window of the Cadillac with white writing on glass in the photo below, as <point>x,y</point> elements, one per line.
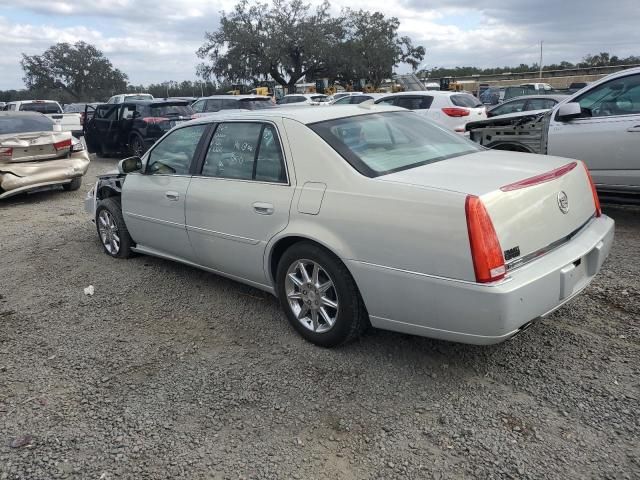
<point>245,151</point>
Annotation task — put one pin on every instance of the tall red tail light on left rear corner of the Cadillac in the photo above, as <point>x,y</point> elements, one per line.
<point>486,252</point>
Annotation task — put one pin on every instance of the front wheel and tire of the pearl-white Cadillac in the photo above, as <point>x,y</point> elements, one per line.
<point>110,222</point>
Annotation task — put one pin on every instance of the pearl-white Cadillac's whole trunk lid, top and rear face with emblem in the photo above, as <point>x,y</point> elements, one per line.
<point>529,217</point>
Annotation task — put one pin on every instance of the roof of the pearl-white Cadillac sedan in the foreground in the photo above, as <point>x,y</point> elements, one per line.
<point>305,115</point>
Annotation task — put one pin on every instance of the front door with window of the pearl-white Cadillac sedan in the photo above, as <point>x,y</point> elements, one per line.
<point>153,202</point>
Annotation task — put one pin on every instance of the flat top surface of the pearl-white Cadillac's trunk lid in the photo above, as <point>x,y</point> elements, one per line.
<point>476,173</point>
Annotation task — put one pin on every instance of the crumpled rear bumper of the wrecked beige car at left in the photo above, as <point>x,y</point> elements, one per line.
<point>20,177</point>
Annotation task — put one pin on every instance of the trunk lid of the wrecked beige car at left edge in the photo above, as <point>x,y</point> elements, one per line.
<point>34,146</point>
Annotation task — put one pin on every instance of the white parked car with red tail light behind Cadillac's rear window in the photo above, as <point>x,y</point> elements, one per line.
<point>450,109</point>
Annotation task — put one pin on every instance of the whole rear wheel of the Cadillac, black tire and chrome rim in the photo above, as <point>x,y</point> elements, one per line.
<point>349,319</point>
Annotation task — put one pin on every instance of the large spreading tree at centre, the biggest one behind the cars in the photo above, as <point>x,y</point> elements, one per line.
<point>285,40</point>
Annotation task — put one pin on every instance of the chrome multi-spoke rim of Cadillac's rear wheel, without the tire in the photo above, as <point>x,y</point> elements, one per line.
<point>312,296</point>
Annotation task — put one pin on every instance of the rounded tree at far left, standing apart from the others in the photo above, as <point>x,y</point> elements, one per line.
<point>79,69</point>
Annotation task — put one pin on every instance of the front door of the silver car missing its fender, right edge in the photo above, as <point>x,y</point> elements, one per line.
<point>607,137</point>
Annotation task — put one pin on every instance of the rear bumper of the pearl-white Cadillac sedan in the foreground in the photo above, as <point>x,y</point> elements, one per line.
<point>468,312</point>
